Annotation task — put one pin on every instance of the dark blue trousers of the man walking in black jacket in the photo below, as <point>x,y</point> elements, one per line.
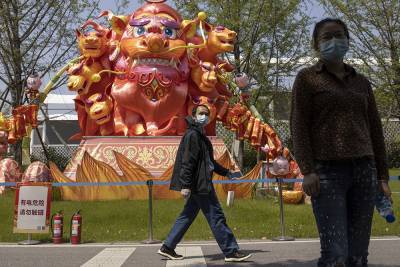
<point>209,205</point>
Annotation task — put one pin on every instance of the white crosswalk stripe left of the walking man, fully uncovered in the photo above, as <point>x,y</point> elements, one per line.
<point>110,257</point>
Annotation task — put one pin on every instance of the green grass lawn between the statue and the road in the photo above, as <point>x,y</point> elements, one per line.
<point>127,220</point>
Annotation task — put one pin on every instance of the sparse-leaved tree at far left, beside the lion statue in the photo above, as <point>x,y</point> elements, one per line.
<point>40,36</point>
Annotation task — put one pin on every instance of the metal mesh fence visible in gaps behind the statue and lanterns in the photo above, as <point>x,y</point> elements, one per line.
<point>61,154</point>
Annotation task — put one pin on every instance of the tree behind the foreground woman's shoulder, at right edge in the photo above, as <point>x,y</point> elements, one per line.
<point>375,34</point>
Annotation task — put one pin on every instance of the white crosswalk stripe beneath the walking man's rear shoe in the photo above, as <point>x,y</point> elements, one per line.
<point>193,257</point>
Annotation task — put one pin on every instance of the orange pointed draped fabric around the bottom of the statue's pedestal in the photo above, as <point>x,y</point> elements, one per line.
<point>91,170</point>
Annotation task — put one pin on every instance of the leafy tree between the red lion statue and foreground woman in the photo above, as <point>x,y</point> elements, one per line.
<point>272,39</point>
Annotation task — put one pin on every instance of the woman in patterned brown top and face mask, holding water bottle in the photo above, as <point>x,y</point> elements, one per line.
<point>339,145</point>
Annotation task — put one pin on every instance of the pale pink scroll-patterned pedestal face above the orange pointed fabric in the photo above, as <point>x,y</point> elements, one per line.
<point>155,154</point>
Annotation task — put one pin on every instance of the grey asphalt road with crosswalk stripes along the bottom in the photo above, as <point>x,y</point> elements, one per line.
<point>383,252</point>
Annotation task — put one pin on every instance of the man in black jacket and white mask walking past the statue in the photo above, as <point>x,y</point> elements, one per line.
<point>192,176</point>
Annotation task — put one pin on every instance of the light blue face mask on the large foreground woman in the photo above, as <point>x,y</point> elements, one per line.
<point>334,49</point>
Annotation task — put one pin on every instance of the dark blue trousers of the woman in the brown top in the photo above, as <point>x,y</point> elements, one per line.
<point>343,210</point>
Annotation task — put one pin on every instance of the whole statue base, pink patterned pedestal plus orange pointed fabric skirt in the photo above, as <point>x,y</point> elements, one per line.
<point>126,159</point>
